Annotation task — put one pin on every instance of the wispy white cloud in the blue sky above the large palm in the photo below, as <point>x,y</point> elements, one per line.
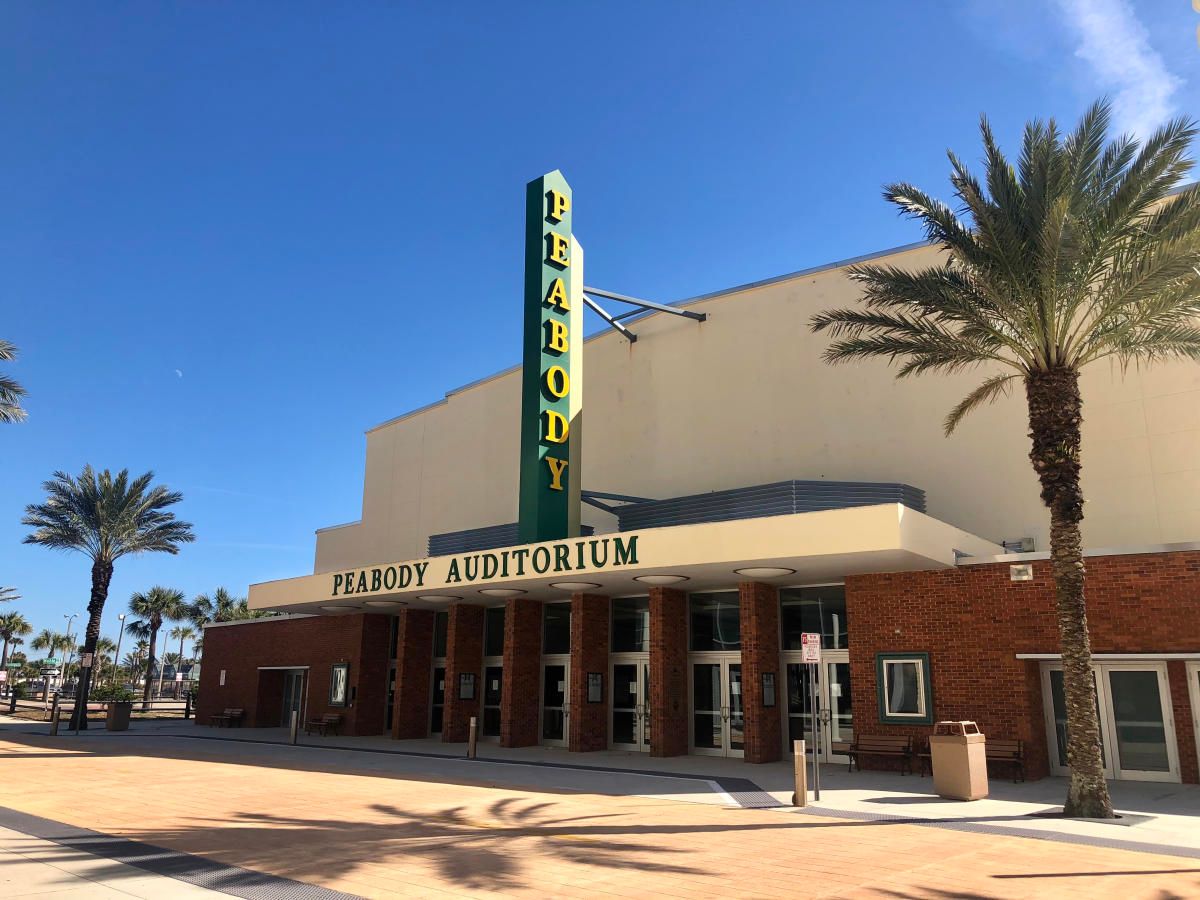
<point>1117,46</point>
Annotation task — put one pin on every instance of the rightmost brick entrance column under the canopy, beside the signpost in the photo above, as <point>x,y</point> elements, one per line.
<point>760,655</point>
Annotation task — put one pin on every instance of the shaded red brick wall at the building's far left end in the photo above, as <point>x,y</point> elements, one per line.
<point>317,643</point>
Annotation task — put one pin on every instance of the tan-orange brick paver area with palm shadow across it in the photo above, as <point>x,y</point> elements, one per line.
<point>311,817</point>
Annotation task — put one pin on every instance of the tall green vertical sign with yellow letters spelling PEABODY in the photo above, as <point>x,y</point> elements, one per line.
<point>553,377</point>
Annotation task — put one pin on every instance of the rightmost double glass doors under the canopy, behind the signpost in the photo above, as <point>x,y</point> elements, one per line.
<point>835,706</point>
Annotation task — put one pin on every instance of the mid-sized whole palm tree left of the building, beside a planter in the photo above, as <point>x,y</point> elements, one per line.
<point>105,518</point>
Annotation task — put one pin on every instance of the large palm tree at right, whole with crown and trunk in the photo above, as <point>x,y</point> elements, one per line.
<point>1081,254</point>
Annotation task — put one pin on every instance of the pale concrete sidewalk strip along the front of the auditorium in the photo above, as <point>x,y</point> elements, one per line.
<point>1156,818</point>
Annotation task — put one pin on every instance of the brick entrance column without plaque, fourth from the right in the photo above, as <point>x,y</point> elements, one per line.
<point>521,695</point>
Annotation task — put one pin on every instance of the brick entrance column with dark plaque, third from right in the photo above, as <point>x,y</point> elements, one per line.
<point>590,653</point>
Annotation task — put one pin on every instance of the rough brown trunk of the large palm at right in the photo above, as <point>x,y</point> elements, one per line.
<point>1055,422</point>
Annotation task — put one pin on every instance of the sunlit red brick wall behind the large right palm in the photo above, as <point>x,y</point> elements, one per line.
<point>974,620</point>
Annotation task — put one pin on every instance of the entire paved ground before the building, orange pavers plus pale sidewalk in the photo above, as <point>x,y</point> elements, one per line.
<point>170,807</point>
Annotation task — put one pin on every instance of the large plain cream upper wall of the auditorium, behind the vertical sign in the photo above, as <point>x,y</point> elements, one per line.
<point>746,398</point>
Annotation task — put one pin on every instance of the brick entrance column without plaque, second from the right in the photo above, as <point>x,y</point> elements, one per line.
<point>669,673</point>
